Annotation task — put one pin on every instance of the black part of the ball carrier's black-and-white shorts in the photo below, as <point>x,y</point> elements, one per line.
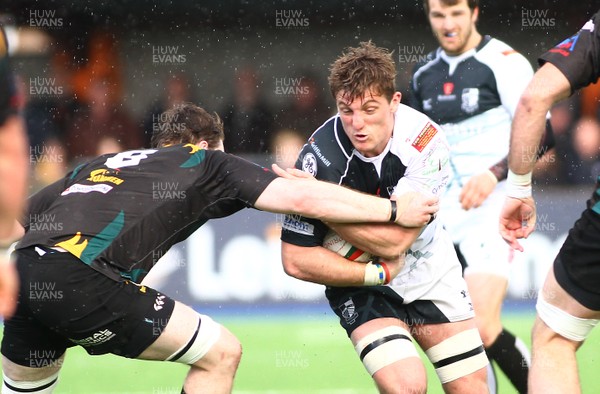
<point>358,305</point>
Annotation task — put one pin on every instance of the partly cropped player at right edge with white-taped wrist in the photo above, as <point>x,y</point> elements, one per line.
<point>568,305</point>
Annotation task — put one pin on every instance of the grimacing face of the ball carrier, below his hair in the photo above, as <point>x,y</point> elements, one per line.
<point>368,121</point>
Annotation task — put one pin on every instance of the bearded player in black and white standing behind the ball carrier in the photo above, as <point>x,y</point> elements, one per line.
<point>470,85</point>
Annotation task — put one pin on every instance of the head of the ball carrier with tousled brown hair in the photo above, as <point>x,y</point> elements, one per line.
<point>362,82</point>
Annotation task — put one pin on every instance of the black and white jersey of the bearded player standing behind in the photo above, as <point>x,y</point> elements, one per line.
<point>473,96</point>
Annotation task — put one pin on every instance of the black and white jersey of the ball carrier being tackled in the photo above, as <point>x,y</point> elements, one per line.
<point>415,159</point>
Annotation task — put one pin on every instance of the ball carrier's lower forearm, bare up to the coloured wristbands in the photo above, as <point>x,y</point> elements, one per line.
<point>319,265</point>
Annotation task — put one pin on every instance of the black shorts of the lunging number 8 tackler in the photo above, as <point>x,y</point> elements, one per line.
<point>63,303</point>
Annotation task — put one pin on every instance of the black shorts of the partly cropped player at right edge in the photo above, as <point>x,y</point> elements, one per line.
<point>577,266</point>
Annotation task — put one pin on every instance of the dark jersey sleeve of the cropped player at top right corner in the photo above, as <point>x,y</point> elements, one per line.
<point>578,57</point>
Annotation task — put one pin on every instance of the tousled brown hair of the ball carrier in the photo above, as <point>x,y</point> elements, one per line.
<point>362,68</point>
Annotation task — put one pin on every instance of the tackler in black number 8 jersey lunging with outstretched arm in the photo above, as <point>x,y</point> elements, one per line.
<point>93,234</point>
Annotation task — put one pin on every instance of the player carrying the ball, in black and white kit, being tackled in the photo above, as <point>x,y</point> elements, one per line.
<point>379,146</point>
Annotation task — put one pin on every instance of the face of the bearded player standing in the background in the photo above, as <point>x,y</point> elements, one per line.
<point>454,26</point>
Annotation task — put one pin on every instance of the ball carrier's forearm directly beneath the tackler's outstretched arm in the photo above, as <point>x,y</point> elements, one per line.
<point>387,241</point>
